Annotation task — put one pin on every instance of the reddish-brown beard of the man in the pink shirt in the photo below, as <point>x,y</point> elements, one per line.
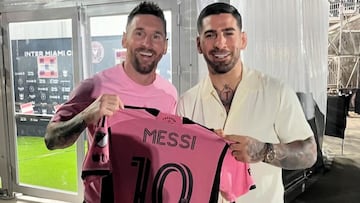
<point>143,68</point>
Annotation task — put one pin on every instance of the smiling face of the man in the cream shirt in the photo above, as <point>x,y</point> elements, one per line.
<point>221,41</point>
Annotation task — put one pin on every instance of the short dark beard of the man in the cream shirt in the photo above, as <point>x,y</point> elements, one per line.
<point>221,67</point>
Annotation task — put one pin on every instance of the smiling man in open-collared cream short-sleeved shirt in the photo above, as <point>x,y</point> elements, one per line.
<point>259,115</point>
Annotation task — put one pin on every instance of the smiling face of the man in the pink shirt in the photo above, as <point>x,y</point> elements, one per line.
<point>145,41</point>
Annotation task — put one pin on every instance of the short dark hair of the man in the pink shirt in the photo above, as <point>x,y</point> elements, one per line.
<point>147,7</point>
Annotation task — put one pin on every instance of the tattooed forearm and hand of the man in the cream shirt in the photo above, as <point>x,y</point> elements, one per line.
<point>299,154</point>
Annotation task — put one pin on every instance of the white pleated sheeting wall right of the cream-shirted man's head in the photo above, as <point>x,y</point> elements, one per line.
<point>288,40</point>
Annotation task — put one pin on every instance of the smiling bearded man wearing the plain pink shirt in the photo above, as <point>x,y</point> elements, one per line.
<point>134,82</point>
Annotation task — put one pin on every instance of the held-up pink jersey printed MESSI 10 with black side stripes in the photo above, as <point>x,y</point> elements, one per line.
<point>157,157</point>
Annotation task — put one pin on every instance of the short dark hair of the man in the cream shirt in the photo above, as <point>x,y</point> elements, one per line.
<point>218,8</point>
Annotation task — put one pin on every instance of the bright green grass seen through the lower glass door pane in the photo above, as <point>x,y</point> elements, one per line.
<point>42,167</point>
